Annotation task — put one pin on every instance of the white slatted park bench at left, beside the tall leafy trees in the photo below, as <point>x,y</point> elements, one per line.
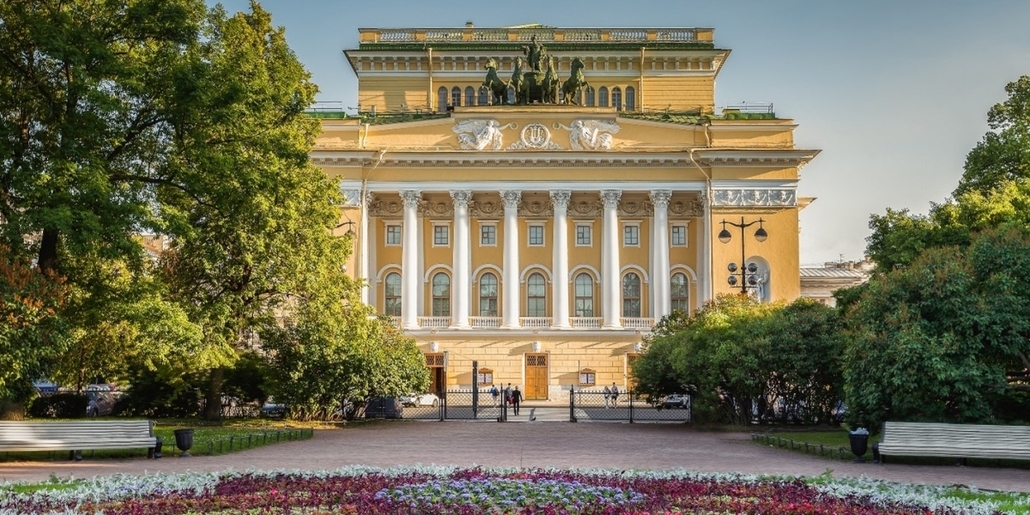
<point>75,436</point>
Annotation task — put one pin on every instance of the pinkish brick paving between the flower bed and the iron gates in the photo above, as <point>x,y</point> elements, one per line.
<point>586,445</point>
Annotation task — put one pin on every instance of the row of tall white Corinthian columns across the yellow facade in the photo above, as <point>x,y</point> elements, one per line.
<point>462,259</point>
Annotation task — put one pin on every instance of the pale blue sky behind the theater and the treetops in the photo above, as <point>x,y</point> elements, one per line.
<point>895,93</point>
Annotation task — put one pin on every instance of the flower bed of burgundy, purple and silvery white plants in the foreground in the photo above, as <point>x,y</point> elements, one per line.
<point>467,492</point>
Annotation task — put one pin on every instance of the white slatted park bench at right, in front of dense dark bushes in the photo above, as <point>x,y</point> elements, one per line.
<point>954,440</point>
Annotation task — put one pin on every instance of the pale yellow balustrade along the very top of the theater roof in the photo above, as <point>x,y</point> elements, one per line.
<point>502,36</point>
